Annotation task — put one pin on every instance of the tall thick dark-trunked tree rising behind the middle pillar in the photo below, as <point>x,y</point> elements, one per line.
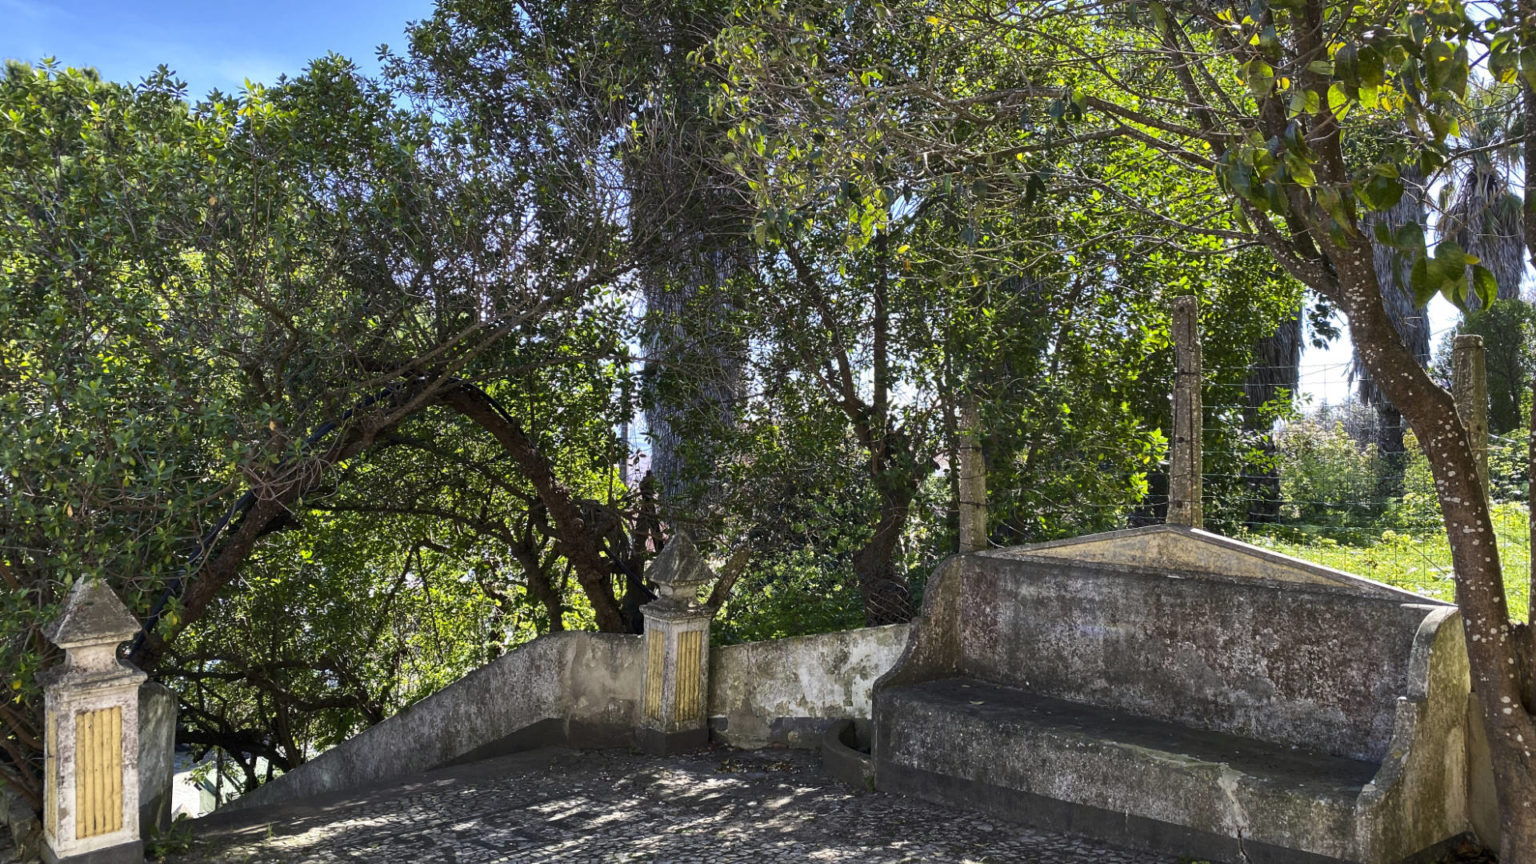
<point>632,81</point>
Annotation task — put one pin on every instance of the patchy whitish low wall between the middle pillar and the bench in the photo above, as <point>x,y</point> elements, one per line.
<point>789,691</point>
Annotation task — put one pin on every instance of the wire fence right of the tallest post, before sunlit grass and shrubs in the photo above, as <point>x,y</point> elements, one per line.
<point>1339,480</point>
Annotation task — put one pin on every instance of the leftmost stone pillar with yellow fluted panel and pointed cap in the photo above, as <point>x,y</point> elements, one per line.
<point>91,749</point>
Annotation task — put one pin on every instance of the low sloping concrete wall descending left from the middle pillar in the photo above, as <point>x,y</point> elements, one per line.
<point>555,690</point>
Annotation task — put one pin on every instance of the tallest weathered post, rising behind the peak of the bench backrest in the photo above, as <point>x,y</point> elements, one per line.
<point>1185,507</point>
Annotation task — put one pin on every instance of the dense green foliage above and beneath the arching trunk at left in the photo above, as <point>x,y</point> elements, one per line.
<point>190,293</point>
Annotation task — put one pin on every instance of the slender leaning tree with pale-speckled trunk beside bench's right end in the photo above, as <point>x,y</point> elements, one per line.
<point>1316,75</point>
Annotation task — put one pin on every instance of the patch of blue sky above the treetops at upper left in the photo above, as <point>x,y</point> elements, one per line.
<point>210,45</point>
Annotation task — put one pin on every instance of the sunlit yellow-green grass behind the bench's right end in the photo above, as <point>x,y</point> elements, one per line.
<point>1418,562</point>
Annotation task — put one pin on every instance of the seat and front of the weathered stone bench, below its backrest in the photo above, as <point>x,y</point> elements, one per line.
<point>1031,757</point>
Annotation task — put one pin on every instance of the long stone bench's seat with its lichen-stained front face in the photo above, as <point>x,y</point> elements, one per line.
<point>1133,766</point>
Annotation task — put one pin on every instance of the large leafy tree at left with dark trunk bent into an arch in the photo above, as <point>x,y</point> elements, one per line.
<point>214,314</point>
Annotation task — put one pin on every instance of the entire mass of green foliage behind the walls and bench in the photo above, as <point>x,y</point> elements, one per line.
<point>902,210</point>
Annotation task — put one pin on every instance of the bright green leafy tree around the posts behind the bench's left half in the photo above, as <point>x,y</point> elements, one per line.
<point>929,274</point>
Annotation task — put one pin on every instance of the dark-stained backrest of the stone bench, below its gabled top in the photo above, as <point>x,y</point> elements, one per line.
<point>1311,668</point>
